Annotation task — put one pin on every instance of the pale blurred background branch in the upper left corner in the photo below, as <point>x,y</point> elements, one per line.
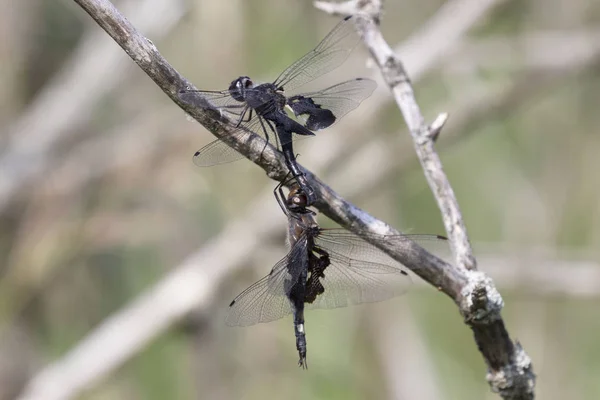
<point>94,69</point>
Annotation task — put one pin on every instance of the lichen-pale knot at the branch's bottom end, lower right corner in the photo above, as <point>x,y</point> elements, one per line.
<point>516,380</point>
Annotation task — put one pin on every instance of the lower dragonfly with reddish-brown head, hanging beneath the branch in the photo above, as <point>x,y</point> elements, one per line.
<point>324,269</point>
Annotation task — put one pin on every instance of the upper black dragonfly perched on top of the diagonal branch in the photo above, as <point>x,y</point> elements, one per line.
<point>261,108</point>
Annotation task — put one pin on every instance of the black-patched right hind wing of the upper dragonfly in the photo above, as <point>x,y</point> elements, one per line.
<point>339,99</point>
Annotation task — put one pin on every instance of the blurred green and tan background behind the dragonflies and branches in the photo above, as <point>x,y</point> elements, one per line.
<point>100,203</point>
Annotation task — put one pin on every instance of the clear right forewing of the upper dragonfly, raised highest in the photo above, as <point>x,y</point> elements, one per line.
<point>328,55</point>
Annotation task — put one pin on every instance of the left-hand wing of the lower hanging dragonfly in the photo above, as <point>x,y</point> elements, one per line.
<point>266,300</point>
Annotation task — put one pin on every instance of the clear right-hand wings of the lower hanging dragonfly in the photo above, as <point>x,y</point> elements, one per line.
<point>358,271</point>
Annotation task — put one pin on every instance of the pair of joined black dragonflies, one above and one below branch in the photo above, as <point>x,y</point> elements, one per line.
<point>324,268</point>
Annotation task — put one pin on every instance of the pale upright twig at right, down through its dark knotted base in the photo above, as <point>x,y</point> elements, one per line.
<point>509,368</point>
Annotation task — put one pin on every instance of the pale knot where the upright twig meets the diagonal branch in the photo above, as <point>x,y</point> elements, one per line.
<point>481,302</point>
